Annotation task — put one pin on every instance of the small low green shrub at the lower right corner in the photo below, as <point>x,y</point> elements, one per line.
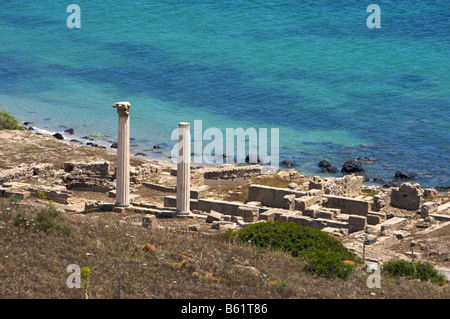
<point>419,270</point>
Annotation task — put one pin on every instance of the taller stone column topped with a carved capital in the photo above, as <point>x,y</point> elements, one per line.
<point>123,155</point>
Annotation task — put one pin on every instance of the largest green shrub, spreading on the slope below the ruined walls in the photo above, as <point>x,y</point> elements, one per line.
<point>324,255</point>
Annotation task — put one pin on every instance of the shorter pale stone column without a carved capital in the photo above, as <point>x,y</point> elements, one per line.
<point>183,168</point>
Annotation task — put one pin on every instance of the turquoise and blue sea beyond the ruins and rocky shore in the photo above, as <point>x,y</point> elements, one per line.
<point>336,89</point>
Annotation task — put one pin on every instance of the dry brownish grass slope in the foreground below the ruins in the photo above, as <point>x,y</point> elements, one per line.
<point>181,264</point>
